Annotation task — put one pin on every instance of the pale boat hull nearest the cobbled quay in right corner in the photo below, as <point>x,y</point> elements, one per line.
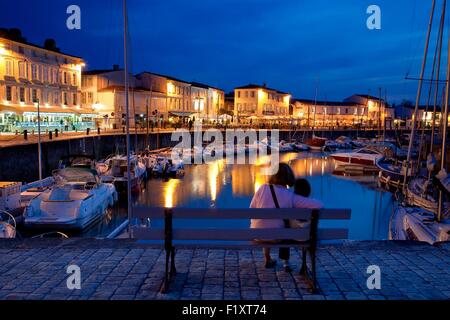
<point>417,224</point>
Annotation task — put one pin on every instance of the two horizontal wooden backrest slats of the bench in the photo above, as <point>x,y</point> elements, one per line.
<point>310,229</point>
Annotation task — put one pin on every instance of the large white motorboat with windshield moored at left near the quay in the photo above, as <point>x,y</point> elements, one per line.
<point>77,200</point>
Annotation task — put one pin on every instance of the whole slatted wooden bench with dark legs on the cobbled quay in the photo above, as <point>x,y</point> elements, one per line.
<point>305,238</point>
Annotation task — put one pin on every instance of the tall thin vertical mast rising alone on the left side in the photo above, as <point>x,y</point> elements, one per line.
<point>127,111</point>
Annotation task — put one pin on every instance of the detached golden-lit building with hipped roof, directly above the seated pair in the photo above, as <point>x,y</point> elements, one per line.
<point>255,103</point>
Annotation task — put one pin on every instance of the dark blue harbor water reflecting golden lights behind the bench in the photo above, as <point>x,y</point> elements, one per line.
<point>222,185</point>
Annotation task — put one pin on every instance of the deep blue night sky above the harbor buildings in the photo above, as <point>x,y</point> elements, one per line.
<point>289,45</point>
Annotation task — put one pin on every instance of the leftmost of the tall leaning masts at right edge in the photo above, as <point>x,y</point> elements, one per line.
<point>419,92</point>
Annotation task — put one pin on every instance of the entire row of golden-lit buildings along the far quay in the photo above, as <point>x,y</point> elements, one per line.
<point>43,79</point>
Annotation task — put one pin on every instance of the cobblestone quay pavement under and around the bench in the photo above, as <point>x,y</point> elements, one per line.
<point>122,269</point>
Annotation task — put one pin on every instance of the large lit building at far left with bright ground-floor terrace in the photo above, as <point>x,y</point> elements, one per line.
<point>33,79</point>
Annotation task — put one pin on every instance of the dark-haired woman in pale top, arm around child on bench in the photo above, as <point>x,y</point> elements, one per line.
<point>277,195</point>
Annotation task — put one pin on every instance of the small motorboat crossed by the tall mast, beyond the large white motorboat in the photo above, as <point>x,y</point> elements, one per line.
<point>114,170</point>
